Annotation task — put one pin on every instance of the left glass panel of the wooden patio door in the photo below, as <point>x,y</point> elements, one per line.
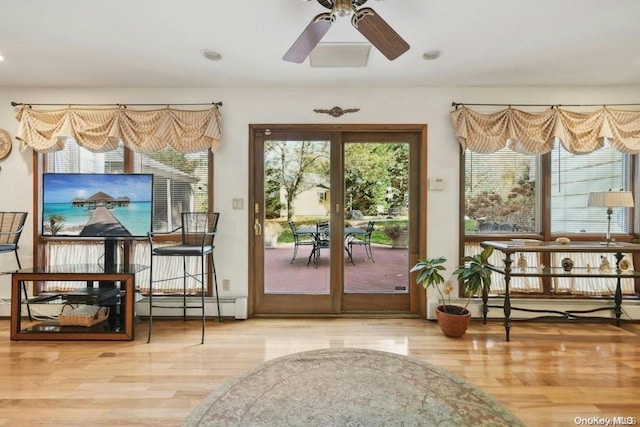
<point>297,200</point>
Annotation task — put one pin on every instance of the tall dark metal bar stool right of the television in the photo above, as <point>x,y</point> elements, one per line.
<point>198,233</point>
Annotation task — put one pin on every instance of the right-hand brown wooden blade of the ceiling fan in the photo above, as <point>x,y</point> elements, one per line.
<point>379,33</point>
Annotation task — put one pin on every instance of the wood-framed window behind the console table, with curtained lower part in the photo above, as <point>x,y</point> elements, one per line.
<point>544,197</point>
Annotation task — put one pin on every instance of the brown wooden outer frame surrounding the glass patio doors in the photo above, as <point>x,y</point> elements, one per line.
<point>416,251</point>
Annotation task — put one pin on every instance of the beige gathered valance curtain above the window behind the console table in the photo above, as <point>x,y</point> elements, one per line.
<point>535,133</point>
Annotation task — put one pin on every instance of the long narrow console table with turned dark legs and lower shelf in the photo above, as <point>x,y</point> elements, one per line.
<point>508,248</point>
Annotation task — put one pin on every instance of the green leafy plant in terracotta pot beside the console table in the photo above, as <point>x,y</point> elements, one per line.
<point>475,276</point>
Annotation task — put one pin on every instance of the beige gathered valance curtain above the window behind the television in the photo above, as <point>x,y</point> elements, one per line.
<point>102,129</point>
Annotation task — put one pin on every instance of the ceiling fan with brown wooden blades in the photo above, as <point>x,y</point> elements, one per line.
<point>366,20</point>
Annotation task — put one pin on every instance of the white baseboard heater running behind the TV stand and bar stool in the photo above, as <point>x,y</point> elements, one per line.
<point>235,307</point>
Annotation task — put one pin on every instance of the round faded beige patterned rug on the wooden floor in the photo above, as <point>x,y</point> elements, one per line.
<point>349,387</point>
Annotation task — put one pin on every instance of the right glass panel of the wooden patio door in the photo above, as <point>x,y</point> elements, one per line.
<point>376,179</point>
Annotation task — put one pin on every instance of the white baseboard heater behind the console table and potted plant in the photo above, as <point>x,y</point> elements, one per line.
<point>630,309</point>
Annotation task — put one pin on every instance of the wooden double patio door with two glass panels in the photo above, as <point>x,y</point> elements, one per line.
<point>337,218</point>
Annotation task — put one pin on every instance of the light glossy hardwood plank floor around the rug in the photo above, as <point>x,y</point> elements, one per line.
<point>547,375</point>
